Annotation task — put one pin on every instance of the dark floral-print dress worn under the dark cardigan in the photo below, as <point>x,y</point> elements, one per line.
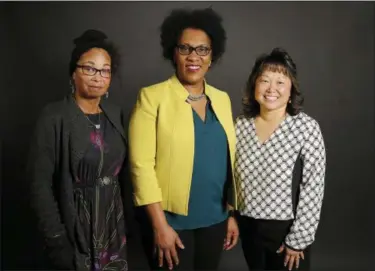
<point>98,200</point>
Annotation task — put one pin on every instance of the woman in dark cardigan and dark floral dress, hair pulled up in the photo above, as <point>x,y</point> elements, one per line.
<point>76,161</point>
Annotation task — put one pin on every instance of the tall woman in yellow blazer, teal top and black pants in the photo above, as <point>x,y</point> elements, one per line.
<point>181,143</point>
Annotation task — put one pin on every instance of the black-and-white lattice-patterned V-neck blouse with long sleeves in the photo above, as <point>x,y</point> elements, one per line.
<point>264,173</point>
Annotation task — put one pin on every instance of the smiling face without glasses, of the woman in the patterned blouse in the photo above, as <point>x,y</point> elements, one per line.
<point>272,90</point>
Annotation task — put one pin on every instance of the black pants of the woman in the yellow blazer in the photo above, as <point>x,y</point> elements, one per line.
<point>203,247</point>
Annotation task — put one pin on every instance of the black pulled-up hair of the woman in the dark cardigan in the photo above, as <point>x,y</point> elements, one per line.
<point>93,39</point>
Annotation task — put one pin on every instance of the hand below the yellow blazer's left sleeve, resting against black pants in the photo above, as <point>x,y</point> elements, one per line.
<point>166,240</point>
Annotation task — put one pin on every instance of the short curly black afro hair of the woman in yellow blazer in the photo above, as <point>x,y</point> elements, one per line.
<point>204,19</point>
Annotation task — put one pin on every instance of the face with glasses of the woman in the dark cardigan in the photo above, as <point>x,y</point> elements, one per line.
<point>92,86</point>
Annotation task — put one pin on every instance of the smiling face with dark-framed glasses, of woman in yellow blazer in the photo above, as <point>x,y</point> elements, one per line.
<point>191,68</point>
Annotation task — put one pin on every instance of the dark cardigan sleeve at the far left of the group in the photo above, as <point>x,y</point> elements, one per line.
<point>41,169</point>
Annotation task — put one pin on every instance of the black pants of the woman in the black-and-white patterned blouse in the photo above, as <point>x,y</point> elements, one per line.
<point>261,239</point>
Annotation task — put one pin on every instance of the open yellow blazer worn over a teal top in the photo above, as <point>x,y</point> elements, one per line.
<point>161,143</point>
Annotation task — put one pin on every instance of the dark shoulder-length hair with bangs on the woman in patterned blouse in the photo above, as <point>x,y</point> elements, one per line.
<point>278,60</point>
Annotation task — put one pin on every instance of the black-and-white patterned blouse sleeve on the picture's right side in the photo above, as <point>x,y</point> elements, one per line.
<point>302,232</point>
